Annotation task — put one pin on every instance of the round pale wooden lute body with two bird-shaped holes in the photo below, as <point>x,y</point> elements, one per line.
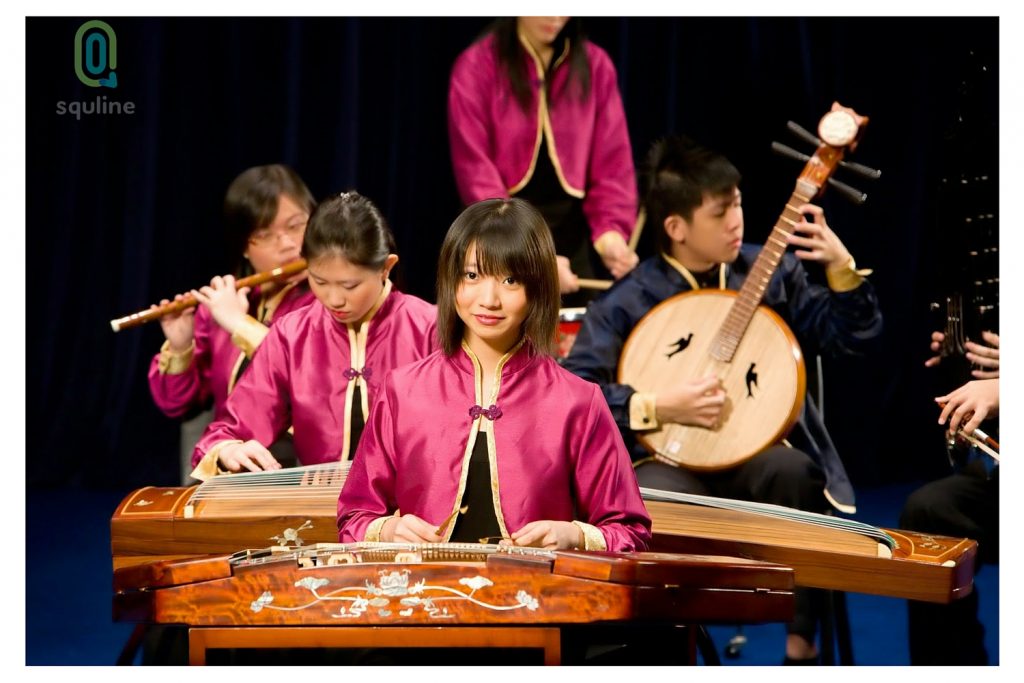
<point>765,382</point>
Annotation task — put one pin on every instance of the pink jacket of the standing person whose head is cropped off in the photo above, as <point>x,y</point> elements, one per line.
<point>495,144</point>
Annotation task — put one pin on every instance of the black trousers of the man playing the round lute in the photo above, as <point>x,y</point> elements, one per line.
<point>779,476</point>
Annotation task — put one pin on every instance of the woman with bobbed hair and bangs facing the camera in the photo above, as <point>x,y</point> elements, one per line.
<point>491,424</point>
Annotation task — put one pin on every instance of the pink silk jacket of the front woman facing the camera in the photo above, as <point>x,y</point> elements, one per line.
<point>554,450</point>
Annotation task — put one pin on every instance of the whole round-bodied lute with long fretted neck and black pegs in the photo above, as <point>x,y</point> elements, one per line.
<point>751,350</point>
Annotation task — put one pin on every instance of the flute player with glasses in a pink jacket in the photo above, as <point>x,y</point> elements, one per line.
<point>207,349</point>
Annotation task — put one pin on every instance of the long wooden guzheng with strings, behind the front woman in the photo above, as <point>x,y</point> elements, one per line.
<point>297,508</point>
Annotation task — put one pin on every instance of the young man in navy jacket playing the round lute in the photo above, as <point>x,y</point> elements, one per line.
<point>694,197</point>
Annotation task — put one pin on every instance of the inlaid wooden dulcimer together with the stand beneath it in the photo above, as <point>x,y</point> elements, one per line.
<point>451,596</point>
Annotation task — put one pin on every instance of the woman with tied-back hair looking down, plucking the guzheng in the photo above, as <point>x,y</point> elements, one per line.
<point>319,368</point>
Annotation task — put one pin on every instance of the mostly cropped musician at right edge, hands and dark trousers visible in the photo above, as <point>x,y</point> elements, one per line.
<point>965,504</point>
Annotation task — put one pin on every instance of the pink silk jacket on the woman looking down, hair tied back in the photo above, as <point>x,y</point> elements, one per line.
<point>305,373</point>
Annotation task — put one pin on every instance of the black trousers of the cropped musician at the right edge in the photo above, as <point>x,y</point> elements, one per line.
<point>964,505</point>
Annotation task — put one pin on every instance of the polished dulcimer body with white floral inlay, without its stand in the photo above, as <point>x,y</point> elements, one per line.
<point>500,589</point>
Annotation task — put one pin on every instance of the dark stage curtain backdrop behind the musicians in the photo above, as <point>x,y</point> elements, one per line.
<point>124,210</point>
